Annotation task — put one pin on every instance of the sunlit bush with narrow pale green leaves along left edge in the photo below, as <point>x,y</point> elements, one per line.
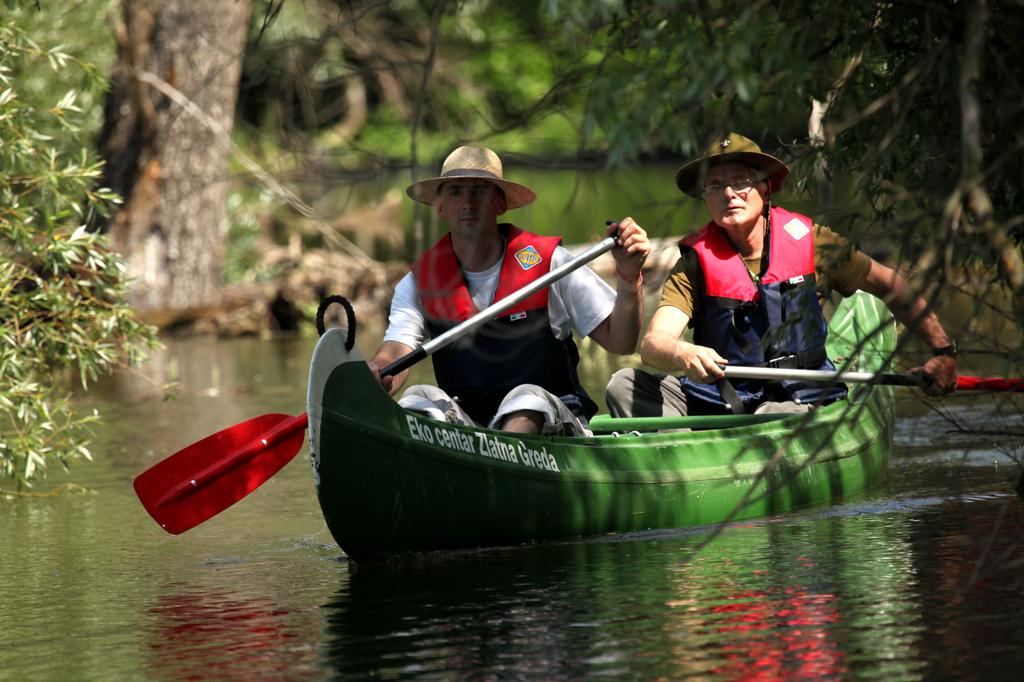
<point>63,293</point>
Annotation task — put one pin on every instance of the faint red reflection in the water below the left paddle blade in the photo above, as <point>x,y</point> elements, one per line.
<point>204,634</point>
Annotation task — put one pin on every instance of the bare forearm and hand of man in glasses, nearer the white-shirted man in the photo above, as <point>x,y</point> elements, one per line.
<point>664,349</point>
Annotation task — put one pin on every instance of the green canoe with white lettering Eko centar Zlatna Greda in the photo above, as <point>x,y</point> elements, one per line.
<point>392,482</point>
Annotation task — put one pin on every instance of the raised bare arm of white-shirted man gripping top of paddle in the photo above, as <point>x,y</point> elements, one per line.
<point>620,331</point>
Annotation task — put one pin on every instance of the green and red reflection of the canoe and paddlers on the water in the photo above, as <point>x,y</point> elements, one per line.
<point>760,602</point>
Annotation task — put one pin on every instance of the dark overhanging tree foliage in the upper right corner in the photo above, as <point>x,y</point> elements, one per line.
<point>893,78</point>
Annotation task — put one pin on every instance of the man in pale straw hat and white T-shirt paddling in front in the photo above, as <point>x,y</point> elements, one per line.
<point>519,372</point>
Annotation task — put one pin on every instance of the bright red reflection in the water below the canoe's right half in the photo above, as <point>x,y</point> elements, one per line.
<point>780,636</point>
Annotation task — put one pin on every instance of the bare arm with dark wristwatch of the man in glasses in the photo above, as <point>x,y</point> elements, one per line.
<point>912,311</point>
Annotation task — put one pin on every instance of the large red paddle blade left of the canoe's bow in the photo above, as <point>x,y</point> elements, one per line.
<point>212,475</point>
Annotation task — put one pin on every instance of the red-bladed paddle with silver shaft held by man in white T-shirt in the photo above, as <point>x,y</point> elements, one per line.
<point>208,477</point>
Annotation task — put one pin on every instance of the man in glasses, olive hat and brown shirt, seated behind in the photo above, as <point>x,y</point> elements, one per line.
<point>743,281</point>
